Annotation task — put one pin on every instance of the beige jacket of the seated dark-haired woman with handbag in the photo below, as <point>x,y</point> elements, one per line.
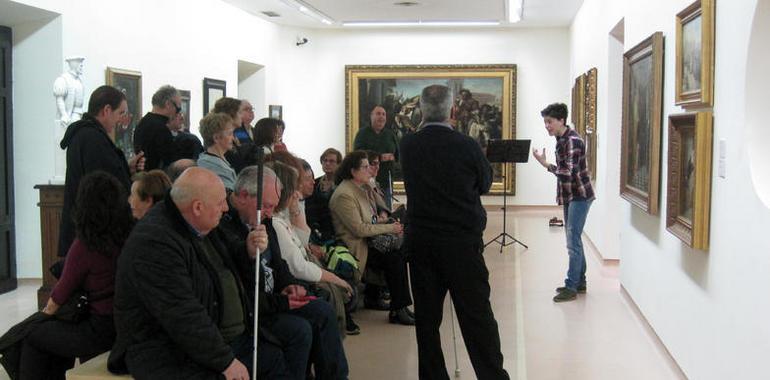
<point>352,217</point>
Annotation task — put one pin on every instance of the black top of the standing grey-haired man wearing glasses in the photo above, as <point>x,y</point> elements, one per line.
<point>153,137</point>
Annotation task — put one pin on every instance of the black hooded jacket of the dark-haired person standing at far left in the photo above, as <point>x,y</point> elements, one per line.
<point>89,149</point>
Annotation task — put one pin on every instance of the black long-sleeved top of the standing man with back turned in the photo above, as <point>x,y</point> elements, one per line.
<point>445,174</point>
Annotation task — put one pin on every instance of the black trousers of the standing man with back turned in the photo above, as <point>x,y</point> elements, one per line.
<point>457,266</point>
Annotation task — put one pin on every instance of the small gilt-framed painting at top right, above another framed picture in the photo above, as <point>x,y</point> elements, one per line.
<point>695,55</point>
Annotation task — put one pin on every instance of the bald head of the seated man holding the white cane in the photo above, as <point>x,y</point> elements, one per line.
<point>200,197</point>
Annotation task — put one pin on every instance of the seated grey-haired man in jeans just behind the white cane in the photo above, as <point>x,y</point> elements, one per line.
<point>283,314</point>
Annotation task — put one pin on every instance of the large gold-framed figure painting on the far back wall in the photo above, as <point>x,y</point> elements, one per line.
<point>484,106</point>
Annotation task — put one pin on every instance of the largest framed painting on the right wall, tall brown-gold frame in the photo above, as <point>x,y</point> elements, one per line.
<point>642,118</point>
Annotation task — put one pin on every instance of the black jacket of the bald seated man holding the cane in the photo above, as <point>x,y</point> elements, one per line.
<point>168,298</point>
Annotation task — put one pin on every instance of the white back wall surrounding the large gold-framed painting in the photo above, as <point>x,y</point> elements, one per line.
<point>312,88</point>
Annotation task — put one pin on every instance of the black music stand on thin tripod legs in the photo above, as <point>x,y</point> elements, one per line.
<point>507,151</point>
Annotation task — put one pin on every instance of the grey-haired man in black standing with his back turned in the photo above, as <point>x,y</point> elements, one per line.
<point>445,174</point>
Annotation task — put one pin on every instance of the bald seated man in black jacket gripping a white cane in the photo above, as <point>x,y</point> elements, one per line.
<point>180,309</point>
